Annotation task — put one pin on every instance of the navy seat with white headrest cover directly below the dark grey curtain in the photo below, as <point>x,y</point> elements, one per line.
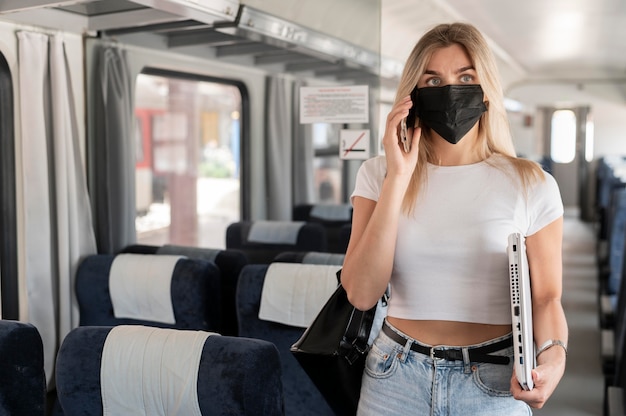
<point>193,301</point>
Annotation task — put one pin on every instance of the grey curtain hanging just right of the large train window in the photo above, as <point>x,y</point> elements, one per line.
<point>278,148</point>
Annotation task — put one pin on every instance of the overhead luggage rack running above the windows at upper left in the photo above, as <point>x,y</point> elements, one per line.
<point>233,30</point>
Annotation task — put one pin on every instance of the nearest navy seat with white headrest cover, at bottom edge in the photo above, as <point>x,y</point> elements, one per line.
<point>147,370</point>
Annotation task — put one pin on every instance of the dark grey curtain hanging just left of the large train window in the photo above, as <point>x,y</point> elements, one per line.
<point>112,152</point>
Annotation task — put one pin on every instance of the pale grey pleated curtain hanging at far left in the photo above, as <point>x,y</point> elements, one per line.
<point>57,225</point>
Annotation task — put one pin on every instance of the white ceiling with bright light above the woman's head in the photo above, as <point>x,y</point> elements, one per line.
<point>534,39</point>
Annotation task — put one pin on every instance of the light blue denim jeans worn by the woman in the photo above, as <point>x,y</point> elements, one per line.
<point>399,381</point>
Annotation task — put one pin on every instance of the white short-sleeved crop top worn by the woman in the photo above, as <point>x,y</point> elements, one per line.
<point>451,262</point>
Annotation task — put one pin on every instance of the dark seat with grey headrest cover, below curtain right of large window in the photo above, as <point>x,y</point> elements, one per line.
<point>262,241</point>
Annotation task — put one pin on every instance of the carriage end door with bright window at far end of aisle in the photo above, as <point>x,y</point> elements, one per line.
<point>568,144</point>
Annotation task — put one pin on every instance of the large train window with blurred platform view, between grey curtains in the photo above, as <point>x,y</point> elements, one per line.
<point>188,173</point>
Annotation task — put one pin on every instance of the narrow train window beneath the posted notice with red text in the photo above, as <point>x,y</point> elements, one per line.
<point>327,164</point>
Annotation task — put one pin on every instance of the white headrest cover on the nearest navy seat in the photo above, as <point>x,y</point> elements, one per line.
<point>148,371</point>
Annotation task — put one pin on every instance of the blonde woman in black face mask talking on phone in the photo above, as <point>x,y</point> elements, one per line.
<point>433,222</point>
